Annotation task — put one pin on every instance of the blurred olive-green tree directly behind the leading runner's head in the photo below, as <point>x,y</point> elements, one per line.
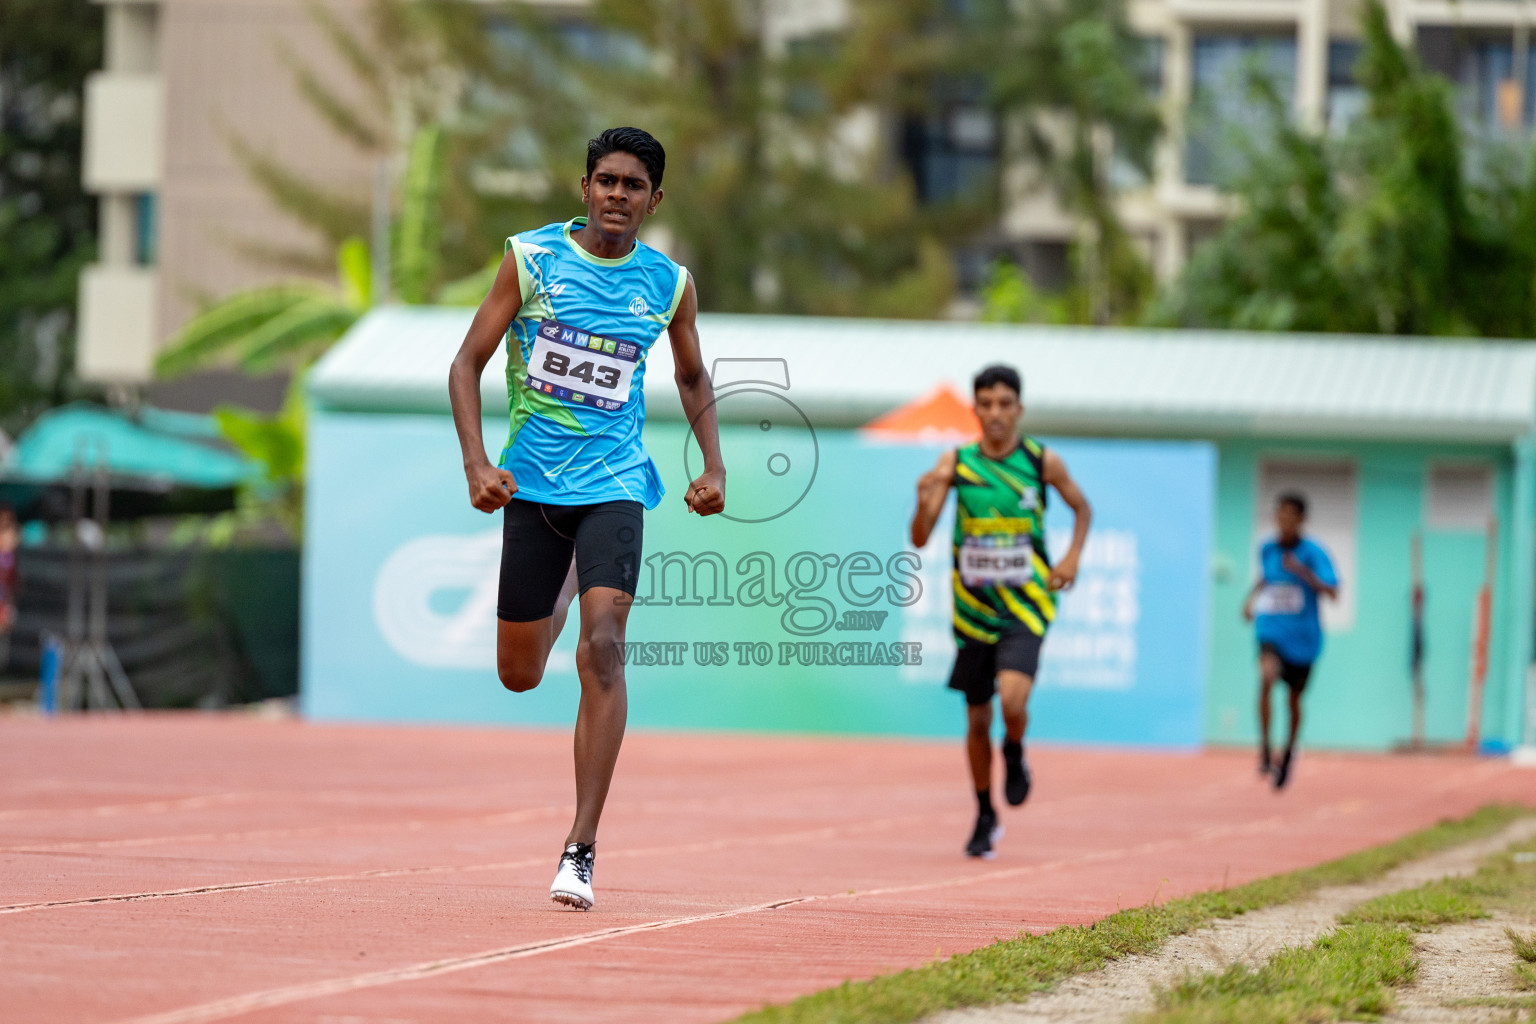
<point>780,202</point>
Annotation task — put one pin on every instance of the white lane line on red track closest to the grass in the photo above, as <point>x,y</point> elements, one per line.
<point>270,999</point>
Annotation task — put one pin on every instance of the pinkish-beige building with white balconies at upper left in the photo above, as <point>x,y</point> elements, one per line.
<point>180,217</point>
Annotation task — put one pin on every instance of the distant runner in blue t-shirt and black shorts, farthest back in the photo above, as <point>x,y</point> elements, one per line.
<point>1294,573</point>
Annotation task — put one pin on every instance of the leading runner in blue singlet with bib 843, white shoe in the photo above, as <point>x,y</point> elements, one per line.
<point>581,305</point>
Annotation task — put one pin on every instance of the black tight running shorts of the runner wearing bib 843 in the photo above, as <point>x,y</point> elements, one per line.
<point>537,547</point>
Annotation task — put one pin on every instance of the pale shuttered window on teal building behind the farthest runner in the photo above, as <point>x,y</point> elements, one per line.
<point>1332,492</point>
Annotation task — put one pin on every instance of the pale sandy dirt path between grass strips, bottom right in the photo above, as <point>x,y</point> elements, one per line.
<point>1458,962</point>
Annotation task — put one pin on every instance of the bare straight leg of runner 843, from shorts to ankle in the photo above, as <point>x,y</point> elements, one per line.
<point>604,704</point>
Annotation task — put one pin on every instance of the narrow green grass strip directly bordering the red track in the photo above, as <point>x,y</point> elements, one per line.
<point>1018,968</point>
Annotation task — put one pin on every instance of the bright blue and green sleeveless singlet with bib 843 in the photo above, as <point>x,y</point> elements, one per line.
<point>577,368</point>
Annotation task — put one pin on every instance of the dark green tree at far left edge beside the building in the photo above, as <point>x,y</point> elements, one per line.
<point>47,220</point>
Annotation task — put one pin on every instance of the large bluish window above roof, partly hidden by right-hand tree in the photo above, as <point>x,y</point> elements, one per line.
<point>1226,119</point>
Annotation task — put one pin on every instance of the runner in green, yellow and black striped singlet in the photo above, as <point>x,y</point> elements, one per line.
<point>1004,580</point>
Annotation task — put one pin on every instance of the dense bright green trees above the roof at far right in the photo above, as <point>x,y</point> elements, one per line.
<point>1380,231</point>
